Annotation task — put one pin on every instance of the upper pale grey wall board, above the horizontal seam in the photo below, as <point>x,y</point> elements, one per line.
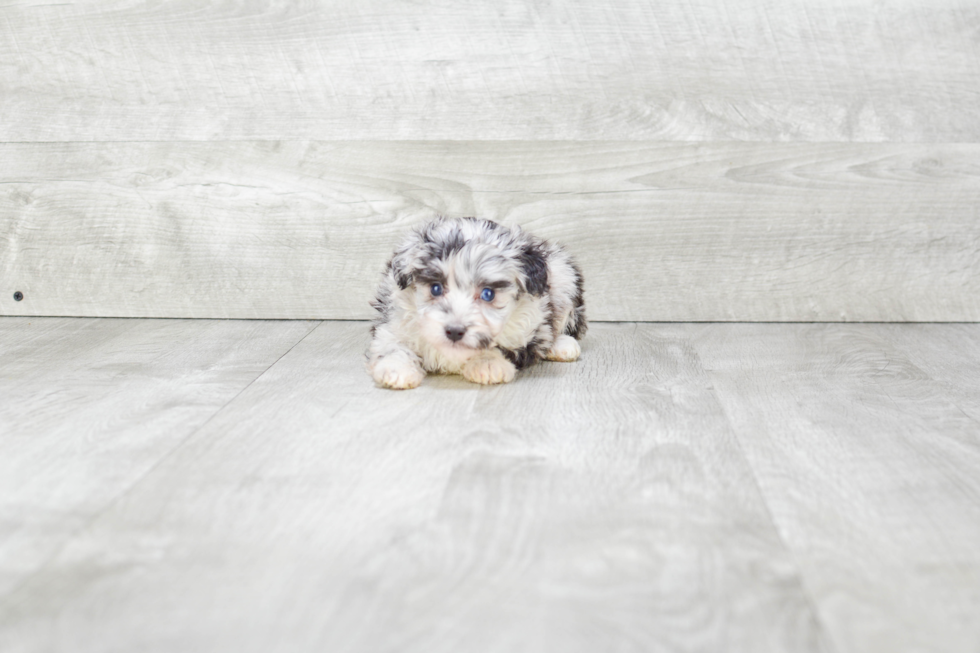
<point>845,70</point>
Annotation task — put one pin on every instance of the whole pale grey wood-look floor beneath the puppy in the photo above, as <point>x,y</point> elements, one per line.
<point>170,485</point>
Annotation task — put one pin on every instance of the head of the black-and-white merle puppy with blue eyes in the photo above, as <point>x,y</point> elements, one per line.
<point>465,278</point>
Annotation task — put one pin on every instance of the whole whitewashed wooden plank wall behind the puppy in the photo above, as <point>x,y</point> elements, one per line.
<point>723,160</point>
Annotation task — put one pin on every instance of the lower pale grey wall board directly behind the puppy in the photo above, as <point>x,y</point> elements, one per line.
<point>699,232</point>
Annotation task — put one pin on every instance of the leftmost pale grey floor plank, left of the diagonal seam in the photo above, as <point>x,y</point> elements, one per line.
<point>87,407</point>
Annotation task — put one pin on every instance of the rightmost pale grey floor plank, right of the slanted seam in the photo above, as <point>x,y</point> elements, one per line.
<point>872,474</point>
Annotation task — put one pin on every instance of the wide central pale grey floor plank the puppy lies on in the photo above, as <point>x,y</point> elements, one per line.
<point>602,505</point>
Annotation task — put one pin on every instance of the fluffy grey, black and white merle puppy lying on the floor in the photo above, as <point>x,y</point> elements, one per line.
<point>472,297</point>
